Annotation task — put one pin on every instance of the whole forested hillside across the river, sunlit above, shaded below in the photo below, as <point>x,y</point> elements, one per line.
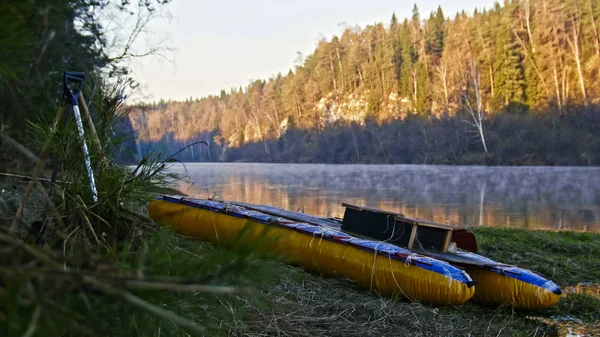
<point>514,84</point>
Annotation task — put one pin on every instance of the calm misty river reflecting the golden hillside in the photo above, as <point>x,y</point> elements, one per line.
<point>553,198</point>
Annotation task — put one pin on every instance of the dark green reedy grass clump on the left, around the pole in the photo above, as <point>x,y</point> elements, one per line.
<point>52,268</point>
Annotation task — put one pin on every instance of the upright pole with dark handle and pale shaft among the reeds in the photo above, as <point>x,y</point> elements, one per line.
<point>73,82</point>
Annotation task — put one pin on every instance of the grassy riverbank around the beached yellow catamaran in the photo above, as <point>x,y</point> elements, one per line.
<point>269,298</point>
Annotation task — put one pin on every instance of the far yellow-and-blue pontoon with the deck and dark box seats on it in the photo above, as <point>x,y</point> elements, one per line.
<point>497,283</point>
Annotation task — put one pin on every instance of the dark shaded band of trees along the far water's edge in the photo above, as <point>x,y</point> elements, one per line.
<point>565,140</point>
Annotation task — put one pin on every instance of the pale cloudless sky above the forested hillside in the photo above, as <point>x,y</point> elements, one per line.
<point>224,44</point>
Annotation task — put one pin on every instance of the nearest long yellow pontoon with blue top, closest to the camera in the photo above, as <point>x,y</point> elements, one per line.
<point>376,266</point>
